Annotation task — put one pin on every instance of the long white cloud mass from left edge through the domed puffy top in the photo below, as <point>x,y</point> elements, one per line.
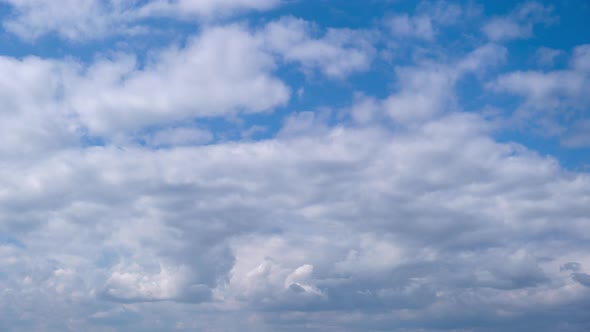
<point>113,97</point>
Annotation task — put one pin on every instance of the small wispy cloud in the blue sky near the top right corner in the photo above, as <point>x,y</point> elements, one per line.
<point>519,23</point>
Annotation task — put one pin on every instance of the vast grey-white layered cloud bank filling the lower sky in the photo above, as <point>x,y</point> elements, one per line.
<point>294,226</point>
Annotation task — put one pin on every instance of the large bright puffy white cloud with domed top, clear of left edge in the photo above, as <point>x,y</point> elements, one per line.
<point>218,73</point>
